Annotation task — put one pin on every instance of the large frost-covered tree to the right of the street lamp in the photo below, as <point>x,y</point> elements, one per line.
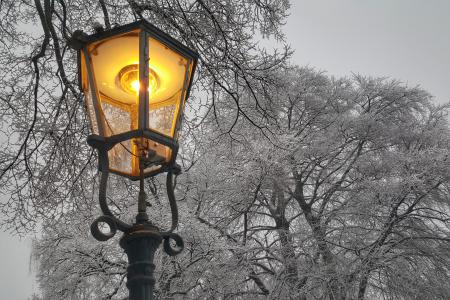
<point>345,195</point>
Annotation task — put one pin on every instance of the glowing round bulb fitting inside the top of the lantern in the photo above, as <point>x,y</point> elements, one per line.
<point>129,80</point>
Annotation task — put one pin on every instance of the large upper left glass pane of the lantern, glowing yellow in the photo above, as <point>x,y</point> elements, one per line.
<point>115,62</point>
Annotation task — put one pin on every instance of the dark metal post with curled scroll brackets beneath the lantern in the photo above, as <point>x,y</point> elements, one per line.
<point>141,239</point>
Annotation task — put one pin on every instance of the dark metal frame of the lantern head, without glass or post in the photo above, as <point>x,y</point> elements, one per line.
<point>146,31</point>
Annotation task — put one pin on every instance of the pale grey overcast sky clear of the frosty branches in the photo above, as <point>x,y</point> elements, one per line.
<point>404,39</point>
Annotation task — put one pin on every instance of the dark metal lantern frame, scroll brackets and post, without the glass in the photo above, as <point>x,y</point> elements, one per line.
<point>140,239</point>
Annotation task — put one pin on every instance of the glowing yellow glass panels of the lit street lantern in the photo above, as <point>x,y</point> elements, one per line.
<point>115,63</point>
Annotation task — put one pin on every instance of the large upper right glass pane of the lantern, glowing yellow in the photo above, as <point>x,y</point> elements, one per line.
<point>168,78</point>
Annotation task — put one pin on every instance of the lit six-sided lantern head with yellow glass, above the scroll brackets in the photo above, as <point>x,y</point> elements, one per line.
<point>136,80</point>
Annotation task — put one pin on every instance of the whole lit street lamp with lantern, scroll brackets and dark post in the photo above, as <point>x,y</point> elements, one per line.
<point>135,79</point>
